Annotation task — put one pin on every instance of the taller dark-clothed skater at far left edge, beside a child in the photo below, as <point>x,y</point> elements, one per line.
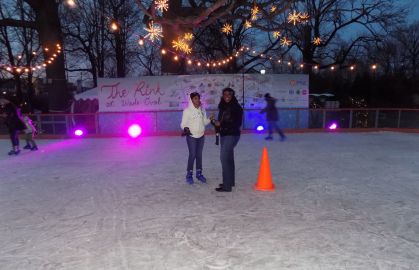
<point>14,124</point>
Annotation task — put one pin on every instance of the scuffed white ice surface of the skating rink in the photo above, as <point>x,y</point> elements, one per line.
<point>343,201</point>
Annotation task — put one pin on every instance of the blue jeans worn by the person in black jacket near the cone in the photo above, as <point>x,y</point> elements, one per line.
<point>227,160</point>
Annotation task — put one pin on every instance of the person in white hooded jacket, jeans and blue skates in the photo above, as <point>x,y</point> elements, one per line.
<point>194,120</point>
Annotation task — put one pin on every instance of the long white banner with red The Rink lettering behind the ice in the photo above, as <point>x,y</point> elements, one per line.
<point>159,93</point>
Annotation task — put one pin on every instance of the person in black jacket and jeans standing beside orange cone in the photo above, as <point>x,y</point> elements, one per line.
<point>229,121</point>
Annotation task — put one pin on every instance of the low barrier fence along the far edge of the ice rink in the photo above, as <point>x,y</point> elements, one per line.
<point>160,122</point>
